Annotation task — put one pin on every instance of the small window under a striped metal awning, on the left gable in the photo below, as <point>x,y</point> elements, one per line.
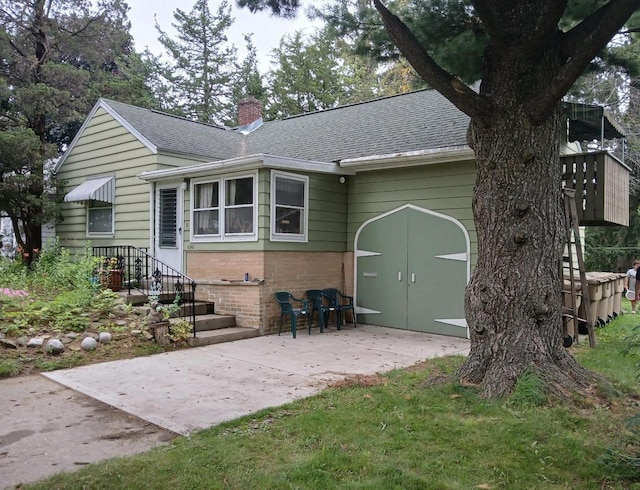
<point>98,195</point>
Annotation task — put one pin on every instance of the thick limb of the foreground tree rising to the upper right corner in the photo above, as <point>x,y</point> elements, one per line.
<point>579,46</point>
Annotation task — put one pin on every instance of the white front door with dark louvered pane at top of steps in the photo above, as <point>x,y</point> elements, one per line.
<point>168,225</point>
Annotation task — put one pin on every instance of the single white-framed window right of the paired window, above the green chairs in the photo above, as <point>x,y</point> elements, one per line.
<point>289,206</point>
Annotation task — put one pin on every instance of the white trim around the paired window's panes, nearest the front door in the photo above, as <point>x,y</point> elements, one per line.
<point>222,189</point>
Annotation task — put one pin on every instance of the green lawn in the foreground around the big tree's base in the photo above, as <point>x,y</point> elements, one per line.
<point>409,429</point>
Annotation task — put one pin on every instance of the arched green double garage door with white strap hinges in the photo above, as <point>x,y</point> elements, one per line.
<point>411,269</point>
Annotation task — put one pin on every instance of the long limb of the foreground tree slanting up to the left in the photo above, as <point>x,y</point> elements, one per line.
<point>448,85</point>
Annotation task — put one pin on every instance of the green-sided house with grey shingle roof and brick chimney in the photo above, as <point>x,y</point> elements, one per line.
<point>371,198</point>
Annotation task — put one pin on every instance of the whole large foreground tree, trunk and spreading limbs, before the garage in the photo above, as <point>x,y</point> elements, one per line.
<point>528,63</point>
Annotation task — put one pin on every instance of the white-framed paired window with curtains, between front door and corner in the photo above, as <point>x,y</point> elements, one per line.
<point>224,209</point>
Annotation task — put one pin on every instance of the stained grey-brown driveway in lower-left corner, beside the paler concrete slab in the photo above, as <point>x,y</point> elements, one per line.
<point>46,428</point>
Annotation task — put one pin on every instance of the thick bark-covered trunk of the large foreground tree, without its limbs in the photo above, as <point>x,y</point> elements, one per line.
<point>513,301</point>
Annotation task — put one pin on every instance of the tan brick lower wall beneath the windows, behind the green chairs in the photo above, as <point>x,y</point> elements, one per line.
<point>220,279</point>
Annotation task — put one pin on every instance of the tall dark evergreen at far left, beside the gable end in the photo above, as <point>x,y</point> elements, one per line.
<point>52,53</point>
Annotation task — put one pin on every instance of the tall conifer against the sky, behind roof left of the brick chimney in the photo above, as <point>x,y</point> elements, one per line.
<point>198,78</point>
